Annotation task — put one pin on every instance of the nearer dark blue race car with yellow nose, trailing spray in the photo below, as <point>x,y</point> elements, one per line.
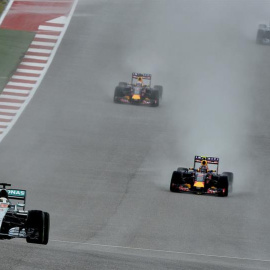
<point>202,180</point>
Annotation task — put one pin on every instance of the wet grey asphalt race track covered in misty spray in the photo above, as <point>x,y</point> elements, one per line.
<point>102,170</point>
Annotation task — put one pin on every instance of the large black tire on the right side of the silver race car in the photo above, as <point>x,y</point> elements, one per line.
<point>38,221</point>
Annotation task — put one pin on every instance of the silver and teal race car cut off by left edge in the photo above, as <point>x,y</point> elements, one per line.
<point>16,222</point>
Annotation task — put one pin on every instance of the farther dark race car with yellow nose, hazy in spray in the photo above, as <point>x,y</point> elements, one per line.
<point>139,91</point>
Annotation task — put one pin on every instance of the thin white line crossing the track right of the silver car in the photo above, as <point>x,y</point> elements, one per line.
<point>165,251</point>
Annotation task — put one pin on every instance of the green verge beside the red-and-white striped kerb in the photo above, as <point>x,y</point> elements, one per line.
<point>13,45</point>
